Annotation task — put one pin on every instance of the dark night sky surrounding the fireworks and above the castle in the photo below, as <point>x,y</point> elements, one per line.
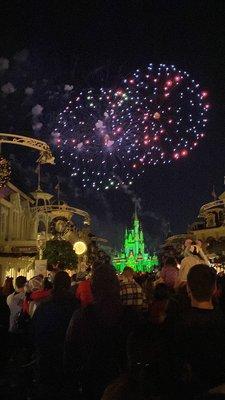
<point>87,42</point>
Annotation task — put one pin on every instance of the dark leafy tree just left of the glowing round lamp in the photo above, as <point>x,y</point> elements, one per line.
<point>60,251</point>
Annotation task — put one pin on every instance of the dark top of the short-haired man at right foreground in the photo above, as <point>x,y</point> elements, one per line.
<point>200,337</point>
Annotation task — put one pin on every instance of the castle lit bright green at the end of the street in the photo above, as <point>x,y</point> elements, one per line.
<point>133,254</point>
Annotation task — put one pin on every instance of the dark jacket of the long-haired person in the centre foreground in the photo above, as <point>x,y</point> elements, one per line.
<point>95,348</point>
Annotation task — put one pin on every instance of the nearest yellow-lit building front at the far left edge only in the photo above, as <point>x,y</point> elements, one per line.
<point>17,232</point>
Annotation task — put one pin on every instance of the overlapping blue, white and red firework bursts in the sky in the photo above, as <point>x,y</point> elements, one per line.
<point>154,116</point>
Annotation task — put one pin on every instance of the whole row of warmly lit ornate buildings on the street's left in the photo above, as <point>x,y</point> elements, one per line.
<point>26,223</point>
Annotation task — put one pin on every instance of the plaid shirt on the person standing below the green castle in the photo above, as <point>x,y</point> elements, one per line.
<point>131,294</point>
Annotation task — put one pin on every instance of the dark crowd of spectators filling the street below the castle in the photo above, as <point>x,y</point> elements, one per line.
<point>102,336</point>
